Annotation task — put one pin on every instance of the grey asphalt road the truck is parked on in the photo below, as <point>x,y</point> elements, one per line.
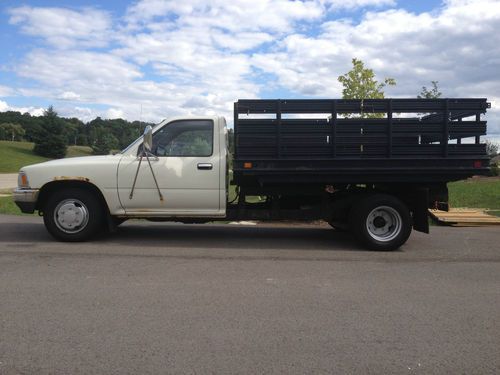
<point>163,298</point>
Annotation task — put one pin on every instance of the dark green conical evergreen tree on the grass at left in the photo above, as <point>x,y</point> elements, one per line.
<point>52,142</point>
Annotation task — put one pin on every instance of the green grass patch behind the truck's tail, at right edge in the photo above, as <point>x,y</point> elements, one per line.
<point>477,193</point>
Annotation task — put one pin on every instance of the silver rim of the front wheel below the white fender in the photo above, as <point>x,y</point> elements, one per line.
<point>71,216</point>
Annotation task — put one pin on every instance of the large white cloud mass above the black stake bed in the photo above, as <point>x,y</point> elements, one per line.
<point>457,46</point>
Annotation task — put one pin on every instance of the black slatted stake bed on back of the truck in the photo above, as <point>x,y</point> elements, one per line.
<point>332,141</point>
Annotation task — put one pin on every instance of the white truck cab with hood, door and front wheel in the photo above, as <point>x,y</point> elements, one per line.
<point>183,175</point>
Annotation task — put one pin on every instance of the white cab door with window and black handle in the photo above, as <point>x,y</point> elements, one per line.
<point>186,164</point>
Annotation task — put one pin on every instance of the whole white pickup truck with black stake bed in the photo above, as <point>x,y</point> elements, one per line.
<point>377,185</point>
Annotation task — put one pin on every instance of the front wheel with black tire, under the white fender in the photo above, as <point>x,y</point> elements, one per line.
<point>73,215</point>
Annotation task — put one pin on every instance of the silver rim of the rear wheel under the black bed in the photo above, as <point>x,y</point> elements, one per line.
<point>384,223</point>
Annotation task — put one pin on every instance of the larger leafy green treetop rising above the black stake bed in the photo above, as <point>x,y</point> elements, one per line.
<point>360,83</point>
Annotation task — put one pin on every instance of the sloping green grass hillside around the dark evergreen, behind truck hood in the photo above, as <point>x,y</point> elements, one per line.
<point>14,155</point>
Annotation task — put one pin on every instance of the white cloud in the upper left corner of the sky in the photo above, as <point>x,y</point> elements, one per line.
<point>64,28</point>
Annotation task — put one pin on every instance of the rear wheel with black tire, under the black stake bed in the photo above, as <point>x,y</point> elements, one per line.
<point>381,222</point>
